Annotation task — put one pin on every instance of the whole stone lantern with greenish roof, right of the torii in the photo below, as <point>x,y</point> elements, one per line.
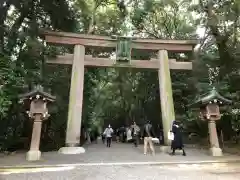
<point>209,105</point>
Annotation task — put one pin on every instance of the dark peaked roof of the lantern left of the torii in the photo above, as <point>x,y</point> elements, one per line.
<point>37,92</point>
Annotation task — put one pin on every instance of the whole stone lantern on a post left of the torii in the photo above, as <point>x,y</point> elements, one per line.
<point>38,112</point>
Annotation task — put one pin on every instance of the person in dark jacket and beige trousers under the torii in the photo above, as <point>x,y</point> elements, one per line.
<point>148,134</point>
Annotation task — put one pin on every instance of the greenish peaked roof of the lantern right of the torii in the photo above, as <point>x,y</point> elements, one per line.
<point>212,96</point>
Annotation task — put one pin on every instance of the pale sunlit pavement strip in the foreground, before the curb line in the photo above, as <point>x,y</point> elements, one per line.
<point>123,172</point>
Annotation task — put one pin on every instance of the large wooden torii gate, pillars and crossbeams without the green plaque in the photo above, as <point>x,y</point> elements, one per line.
<point>79,60</point>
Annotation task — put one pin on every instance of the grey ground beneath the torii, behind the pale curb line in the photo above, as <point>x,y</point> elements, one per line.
<point>99,153</point>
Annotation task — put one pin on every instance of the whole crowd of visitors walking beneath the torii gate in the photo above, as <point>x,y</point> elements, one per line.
<point>133,134</point>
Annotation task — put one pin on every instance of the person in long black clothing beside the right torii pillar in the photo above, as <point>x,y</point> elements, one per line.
<point>177,142</point>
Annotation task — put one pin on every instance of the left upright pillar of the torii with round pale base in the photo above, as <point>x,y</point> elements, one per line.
<point>73,132</point>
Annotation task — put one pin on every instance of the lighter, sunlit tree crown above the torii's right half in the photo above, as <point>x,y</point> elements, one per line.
<point>161,19</point>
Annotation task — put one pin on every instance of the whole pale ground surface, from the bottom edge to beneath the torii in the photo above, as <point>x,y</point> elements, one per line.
<point>102,163</point>
